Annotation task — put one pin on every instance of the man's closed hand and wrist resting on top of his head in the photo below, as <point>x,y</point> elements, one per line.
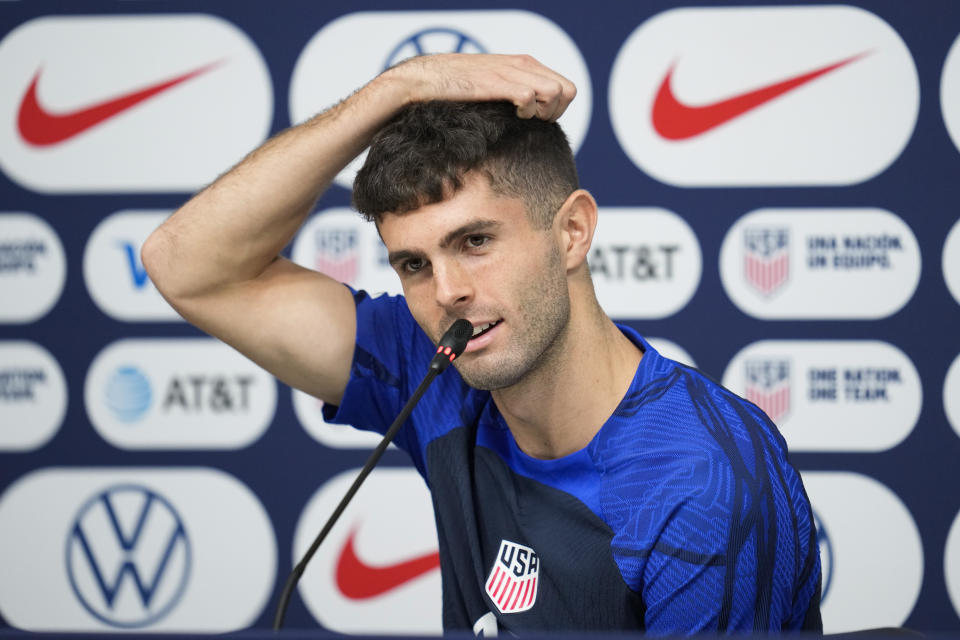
<point>536,90</point>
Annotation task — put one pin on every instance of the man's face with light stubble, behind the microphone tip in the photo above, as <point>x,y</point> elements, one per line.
<point>476,256</point>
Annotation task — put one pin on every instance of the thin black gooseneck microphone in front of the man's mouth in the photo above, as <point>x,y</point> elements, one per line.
<point>451,345</point>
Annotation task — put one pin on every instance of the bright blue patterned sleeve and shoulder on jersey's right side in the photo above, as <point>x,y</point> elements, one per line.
<point>717,535</point>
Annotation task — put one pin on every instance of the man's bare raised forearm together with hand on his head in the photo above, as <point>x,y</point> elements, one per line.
<point>231,231</point>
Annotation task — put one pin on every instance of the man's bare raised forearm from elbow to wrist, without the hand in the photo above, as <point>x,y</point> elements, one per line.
<point>232,230</point>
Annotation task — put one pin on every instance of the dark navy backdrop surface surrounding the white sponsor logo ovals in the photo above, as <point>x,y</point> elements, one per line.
<point>286,466</point>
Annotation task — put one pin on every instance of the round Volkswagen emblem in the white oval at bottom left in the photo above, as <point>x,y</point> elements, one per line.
<point>128,556</point>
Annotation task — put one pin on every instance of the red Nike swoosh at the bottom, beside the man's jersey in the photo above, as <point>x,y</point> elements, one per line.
<point>357,580</point>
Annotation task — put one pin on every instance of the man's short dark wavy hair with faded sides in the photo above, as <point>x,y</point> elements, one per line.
<point>421,156</point>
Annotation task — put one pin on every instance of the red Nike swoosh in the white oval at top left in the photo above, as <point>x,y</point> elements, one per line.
<point>42,128</point>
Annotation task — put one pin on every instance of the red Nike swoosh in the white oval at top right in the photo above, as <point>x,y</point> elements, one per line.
<point>677,121</point>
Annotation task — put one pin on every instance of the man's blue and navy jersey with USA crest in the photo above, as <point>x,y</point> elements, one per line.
<point>683,513</point>
